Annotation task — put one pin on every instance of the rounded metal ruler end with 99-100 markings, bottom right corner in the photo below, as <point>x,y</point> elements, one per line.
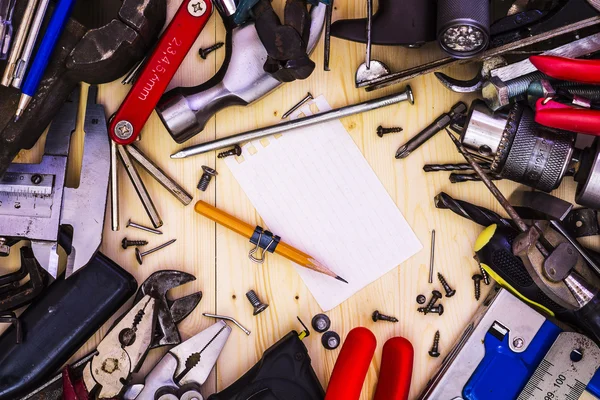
<point>566,370</point>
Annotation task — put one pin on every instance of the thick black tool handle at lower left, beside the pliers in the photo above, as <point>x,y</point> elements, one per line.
<point>59,322</point>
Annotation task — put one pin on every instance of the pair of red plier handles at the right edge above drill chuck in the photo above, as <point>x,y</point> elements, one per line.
<point>562,116</point>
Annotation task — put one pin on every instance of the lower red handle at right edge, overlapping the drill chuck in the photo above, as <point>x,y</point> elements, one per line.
<point>560,116</point>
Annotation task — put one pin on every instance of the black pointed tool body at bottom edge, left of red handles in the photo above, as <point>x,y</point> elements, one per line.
<point>283,373</point>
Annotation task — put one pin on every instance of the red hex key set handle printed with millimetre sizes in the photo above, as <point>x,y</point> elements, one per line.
<point>159,69</point>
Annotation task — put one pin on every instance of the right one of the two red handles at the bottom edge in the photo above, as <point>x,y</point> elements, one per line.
<point>396,370</point>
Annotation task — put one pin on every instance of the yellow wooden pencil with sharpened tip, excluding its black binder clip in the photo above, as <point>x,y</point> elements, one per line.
<point>246,230</point>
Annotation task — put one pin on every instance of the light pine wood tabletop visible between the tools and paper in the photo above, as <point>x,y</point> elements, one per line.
<point>218,257</point>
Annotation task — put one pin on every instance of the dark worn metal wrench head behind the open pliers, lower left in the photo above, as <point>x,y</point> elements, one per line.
<point>169,312</point>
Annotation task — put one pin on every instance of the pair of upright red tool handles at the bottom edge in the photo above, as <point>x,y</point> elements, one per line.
<point>353,363</point>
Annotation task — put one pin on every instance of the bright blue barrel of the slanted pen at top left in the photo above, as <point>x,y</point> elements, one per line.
<point>57,23</point>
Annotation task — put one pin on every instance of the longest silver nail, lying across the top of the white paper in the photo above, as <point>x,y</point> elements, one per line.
<point>240,138</point>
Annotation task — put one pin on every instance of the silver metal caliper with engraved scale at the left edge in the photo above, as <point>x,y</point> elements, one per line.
<point>35,203</point>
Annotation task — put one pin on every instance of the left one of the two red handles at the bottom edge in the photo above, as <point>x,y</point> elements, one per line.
<point>352,365</point>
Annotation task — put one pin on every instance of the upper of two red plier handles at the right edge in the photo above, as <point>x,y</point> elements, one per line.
<point>568,69</point>
